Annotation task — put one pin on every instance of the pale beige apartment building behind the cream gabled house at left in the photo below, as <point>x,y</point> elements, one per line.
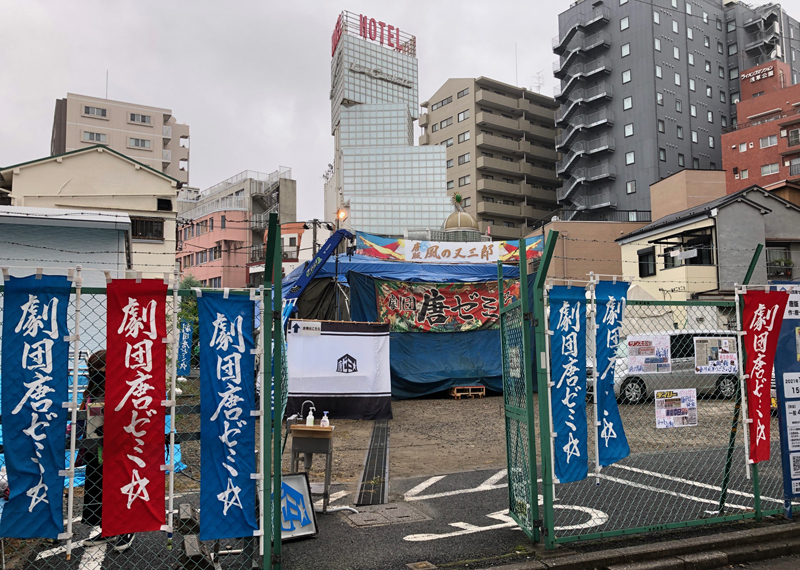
<point>150,135</point>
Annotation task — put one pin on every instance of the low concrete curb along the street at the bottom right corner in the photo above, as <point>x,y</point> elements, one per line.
<point>699,553</point>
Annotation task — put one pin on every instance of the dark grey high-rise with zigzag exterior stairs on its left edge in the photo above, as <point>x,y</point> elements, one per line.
<point>647,88</point>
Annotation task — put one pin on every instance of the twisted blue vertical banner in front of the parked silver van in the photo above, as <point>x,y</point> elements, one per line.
<point>612,442</point>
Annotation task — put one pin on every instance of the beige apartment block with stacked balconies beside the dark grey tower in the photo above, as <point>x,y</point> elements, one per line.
<point>501,155</point>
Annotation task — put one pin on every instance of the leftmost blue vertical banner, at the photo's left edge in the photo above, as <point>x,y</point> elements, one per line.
<point>35,384</point>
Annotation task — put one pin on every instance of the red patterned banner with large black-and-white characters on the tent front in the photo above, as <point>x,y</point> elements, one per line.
<point>441,307</point>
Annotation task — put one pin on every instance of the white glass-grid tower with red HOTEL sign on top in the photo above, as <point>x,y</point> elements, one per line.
<point>384,183</point>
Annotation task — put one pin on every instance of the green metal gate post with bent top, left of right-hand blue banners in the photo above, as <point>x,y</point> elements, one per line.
<point>540,324</point>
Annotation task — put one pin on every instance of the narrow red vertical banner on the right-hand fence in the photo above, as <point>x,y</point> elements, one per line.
<point>761,320</point>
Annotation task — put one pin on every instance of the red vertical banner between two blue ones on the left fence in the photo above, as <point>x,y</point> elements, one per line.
<point>133,451</point>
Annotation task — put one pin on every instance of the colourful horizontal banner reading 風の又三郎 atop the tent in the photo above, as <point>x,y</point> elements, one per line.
<point>425,251</point>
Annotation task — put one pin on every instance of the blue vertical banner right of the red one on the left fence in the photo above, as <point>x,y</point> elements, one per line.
<point>227,427</point>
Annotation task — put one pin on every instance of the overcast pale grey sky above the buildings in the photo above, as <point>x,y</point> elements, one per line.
<point>250,78</point>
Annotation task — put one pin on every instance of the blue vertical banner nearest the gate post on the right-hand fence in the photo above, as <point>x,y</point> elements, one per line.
<point>568,374</point>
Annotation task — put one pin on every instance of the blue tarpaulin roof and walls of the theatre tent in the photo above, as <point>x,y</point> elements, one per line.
<point>423,363</point>
